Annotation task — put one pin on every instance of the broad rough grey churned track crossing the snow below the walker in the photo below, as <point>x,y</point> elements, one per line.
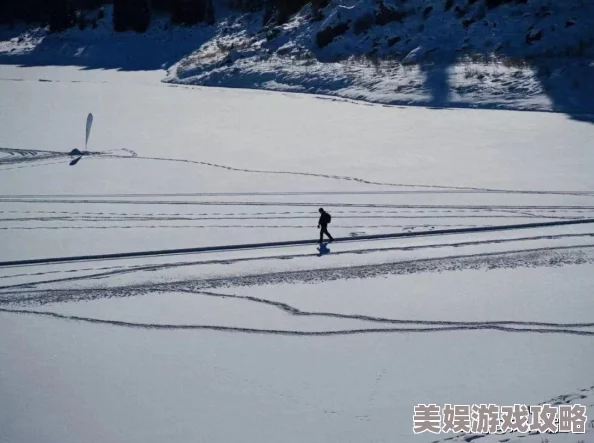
<point>544,257</point>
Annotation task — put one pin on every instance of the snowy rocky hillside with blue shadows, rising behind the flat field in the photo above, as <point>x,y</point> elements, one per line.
<point>520,54</point>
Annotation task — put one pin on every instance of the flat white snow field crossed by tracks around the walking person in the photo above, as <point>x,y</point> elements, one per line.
<point>280,344</point>
